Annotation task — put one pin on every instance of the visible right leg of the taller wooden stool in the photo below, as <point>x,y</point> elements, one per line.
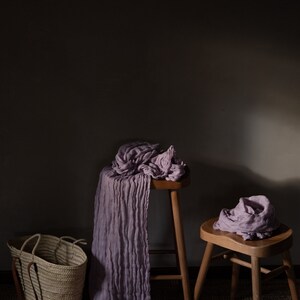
<point>180,243</point>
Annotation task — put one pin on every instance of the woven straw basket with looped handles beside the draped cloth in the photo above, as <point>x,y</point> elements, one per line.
<point>48,267</point>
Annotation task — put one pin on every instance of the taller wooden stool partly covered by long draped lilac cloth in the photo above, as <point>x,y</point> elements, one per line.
<point>173,188</point>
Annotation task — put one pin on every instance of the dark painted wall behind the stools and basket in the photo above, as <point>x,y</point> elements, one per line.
<point>79,78</point>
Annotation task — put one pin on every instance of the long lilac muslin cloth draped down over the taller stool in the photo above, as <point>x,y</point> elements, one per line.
<point>120,258</point>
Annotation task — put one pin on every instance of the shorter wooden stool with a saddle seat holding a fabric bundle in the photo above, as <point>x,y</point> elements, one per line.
<point>280,243</point>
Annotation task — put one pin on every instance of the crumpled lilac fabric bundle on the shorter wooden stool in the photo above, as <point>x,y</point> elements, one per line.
<point>252,218</point>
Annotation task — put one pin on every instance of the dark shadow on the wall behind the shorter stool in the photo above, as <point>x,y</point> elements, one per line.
<point>216,186</point>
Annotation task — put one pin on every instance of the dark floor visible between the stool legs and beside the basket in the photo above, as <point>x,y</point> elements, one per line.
<point>215,289</point>
